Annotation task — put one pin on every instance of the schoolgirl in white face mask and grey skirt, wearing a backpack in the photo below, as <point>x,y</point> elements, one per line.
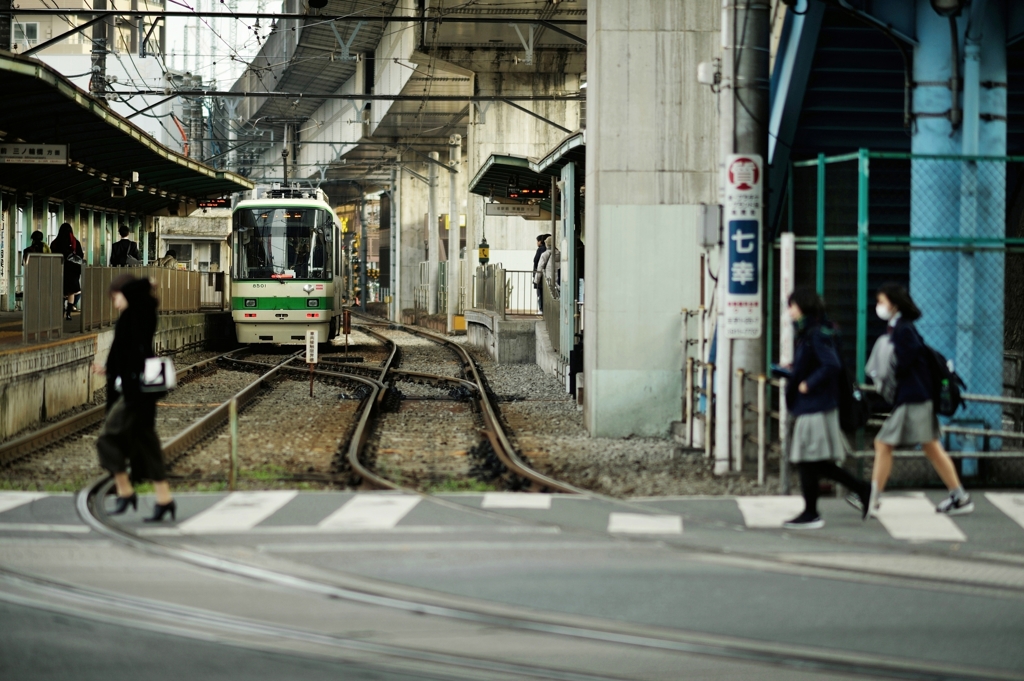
<point>913,420</point>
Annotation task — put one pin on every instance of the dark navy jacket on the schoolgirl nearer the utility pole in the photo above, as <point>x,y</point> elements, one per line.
<point>816,361</point>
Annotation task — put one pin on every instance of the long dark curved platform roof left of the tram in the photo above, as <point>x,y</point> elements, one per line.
<point>104,149</point>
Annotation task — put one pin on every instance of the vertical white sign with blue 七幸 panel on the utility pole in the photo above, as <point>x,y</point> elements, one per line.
<point>743,216</point>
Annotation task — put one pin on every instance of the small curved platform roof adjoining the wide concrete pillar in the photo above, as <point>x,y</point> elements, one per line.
<point>493,178</point>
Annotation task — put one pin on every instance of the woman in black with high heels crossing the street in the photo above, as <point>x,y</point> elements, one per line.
<point>130,435</point>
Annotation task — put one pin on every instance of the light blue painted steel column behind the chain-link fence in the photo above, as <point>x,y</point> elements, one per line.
<point>962,293</point>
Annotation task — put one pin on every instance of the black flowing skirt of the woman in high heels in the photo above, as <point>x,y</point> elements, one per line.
<point>129,441</point>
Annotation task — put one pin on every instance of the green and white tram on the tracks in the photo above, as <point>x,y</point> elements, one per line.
<point>285,273</point>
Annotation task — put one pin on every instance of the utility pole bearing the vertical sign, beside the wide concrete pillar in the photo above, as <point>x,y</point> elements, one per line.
<point>745,95</point>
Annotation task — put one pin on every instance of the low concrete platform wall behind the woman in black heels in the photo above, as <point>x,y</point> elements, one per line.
<point>40,382</point>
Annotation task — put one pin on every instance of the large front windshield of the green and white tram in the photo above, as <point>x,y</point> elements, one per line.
<point>283,243</point>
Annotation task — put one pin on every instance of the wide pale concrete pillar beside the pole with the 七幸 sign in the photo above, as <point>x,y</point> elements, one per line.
<point>652,160</point>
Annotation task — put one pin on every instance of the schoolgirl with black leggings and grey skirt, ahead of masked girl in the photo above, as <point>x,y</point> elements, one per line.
<point>817,443</point>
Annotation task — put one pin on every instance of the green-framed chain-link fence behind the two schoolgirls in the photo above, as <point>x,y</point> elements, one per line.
<point>951,230</point>
